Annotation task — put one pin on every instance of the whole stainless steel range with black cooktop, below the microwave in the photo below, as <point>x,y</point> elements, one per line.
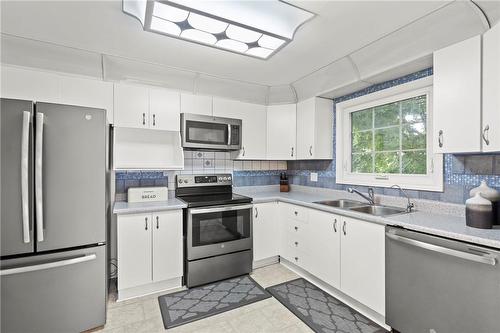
<point>217,228</point>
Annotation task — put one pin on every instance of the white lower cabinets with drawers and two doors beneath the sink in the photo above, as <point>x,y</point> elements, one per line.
<point>348,254</point>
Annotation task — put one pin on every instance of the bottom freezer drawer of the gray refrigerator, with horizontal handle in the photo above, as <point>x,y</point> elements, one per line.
<point>63,292</point>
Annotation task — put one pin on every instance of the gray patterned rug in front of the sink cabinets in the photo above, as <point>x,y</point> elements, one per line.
<point>321,311</point>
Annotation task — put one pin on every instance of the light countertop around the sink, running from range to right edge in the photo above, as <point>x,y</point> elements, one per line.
<point>449,226</point>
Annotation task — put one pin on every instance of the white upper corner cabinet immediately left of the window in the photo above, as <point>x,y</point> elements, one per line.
<point>315,129</point>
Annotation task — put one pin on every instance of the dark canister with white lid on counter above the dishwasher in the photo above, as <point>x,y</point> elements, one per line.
<point>479,212</point>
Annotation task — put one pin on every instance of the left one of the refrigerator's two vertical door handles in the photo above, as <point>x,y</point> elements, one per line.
<point>25,175</point>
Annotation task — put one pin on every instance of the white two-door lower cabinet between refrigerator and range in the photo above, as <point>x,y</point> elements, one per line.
<point>149,251</point>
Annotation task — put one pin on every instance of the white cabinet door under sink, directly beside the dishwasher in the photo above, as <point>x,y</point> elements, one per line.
<point>363,262</point>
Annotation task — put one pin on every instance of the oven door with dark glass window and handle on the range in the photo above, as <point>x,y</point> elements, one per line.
<point>218,230</point>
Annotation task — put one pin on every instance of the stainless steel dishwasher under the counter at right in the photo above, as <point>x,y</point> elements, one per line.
<point>437,285</point>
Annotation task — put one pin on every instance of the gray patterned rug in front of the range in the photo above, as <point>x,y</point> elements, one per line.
<point>200,302</point>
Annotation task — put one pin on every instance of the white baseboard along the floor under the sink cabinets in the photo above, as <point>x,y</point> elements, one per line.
<point>361,308</point>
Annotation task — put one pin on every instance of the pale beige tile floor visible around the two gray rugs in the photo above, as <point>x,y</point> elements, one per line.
<point>143,314</point>
